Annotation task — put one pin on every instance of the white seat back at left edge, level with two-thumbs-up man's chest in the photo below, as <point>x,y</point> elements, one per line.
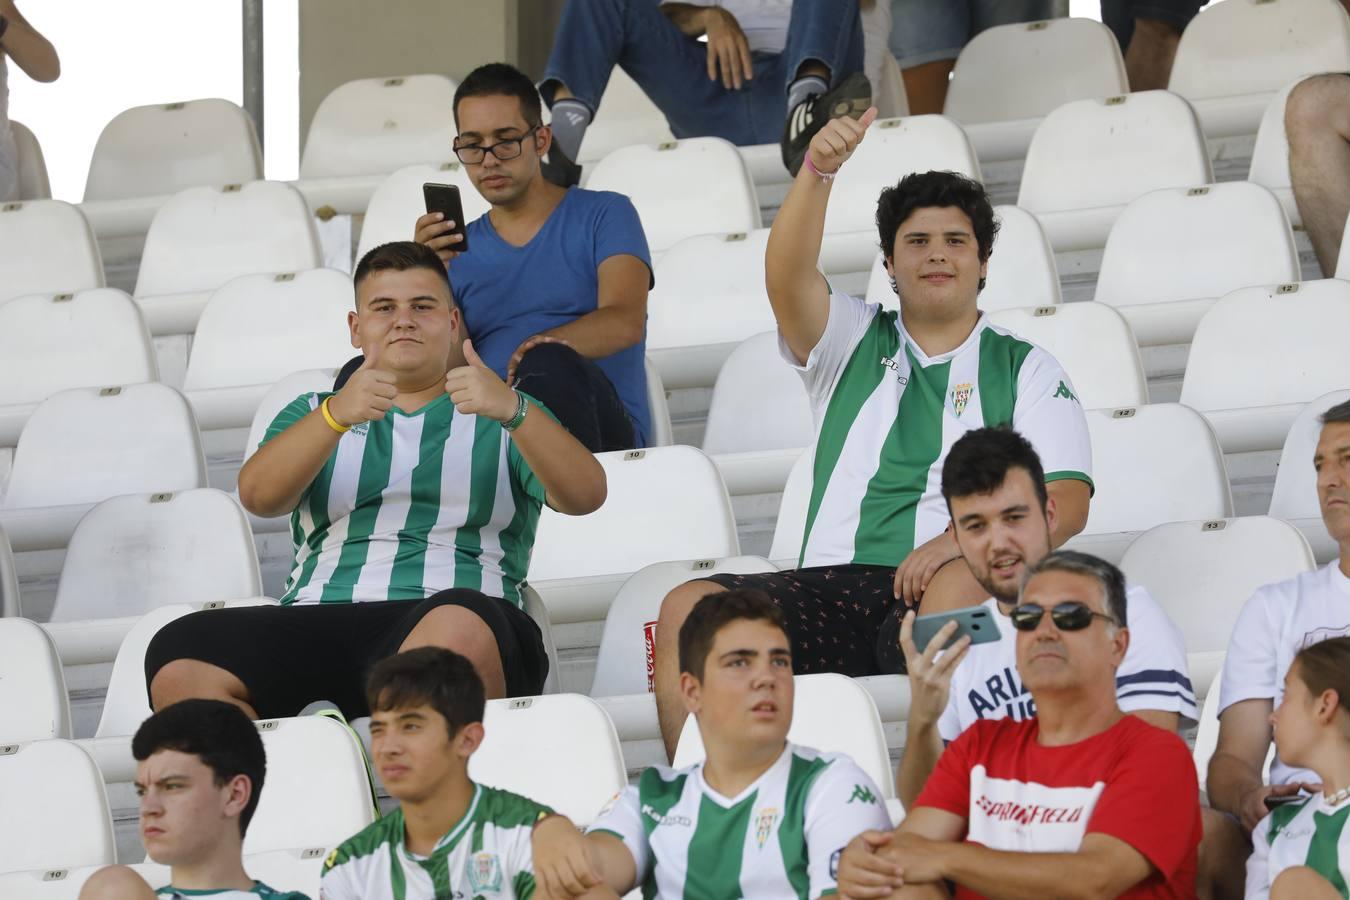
<point>88,445</point>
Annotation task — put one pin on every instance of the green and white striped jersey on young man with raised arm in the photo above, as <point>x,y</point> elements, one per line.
<point>886,416</point>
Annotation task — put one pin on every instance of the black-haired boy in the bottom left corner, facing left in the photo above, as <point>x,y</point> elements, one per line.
<point>200,767</point>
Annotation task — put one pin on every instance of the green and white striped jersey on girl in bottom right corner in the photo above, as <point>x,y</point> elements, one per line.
<point>1301,835</point>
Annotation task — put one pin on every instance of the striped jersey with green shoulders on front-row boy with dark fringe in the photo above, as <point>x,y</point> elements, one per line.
<point>487,855</point>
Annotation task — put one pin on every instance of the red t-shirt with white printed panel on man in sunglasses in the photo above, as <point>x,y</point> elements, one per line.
<point>1133,782</point>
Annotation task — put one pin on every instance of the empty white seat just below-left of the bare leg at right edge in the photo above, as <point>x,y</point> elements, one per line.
<point>1174,252</point>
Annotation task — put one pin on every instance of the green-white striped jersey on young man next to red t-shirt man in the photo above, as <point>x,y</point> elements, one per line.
<point>782,837</point>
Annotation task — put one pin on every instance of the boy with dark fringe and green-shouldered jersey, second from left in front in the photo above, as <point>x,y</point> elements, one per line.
<point>449,837</point>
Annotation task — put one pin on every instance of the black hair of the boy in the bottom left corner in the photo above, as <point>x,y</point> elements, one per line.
<point>218,733</point>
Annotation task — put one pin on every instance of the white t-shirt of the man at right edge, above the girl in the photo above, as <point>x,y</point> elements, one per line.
<point>1279,621</point>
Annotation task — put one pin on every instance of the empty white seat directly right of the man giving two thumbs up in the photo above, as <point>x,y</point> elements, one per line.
<point>664,504</point>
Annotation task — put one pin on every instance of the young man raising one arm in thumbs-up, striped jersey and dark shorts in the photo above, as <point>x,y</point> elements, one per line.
<point>892,392</point>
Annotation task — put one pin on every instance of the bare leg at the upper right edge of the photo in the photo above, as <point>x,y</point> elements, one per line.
<point>1317,121</point>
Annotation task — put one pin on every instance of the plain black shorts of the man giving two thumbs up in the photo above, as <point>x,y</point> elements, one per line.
<point>291,656</point>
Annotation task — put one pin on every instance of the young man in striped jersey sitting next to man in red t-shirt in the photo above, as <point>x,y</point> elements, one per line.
<point>761,818</point>
